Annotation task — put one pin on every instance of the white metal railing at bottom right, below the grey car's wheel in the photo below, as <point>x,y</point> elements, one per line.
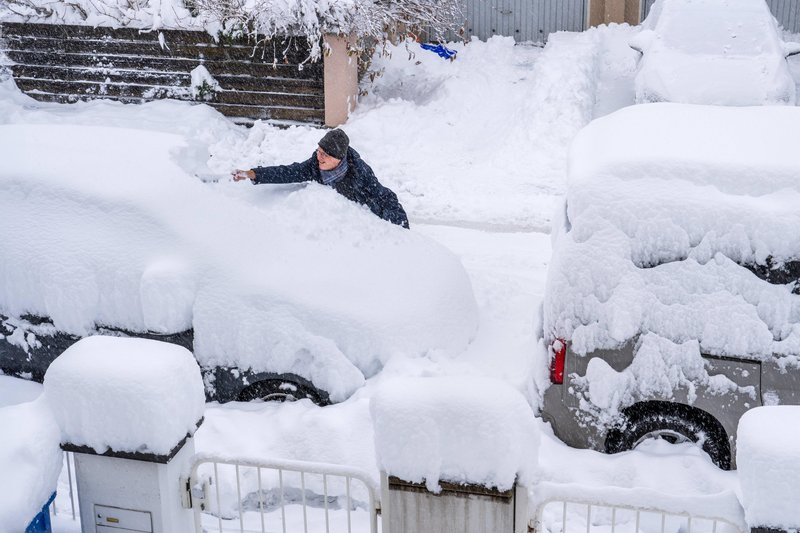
<point>576,516</point>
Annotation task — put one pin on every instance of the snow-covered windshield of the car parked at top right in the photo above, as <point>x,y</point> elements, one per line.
<point>742,32</point>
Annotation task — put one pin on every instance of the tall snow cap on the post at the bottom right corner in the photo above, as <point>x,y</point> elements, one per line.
<point>766,456</point>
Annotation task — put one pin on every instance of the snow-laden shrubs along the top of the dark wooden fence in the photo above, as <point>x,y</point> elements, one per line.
<point>255,19</point>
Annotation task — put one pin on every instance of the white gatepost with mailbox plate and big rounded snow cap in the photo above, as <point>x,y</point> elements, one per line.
<point>128,408</point>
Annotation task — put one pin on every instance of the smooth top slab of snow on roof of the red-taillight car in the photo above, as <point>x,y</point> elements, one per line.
<point>747,151</point>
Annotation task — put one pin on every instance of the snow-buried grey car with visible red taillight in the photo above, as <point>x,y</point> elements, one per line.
<point>672,303</point>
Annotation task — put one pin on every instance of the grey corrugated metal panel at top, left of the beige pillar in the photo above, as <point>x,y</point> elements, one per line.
<point>525,20</point>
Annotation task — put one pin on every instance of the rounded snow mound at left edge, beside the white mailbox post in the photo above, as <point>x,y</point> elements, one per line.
<point>30,459</point>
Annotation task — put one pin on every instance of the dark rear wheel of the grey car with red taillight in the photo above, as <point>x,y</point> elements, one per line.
<point>675,423</point>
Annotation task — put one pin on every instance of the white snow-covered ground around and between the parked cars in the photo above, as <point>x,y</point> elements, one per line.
<point>476,150</point>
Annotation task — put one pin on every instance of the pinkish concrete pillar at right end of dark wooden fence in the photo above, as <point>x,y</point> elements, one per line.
<point>340,80</point>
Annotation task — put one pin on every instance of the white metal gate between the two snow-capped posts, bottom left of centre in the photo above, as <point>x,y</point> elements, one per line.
<point>286,496</point>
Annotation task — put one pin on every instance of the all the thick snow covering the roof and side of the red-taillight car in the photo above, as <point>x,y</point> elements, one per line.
<point>665,204</point>
